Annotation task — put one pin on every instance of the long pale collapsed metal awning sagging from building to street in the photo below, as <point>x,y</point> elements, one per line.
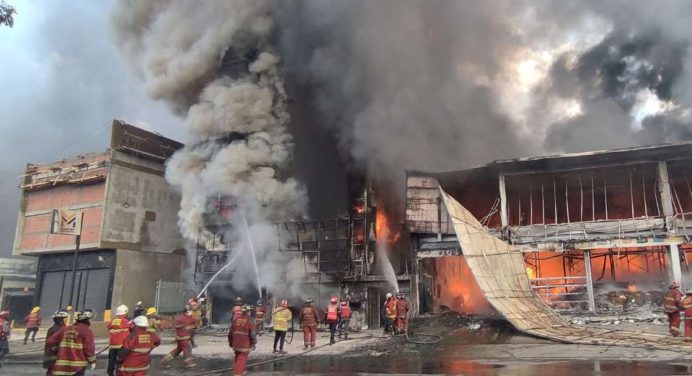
<point>500,272</point>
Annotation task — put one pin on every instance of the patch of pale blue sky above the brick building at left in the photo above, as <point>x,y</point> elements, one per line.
<point>63,82</point>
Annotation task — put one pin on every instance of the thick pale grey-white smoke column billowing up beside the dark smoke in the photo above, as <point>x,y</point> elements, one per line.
<point>238,147</point>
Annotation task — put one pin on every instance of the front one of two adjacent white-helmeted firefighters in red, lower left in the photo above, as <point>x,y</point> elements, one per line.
<point>134,358</point>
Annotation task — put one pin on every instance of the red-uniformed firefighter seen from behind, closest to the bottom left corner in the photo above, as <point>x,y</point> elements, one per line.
<point>75,346</point>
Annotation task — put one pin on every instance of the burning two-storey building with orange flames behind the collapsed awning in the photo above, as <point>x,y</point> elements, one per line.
<point>618,218</point>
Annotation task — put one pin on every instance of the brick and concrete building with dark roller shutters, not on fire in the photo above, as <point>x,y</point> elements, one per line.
<point>129,238</point>
